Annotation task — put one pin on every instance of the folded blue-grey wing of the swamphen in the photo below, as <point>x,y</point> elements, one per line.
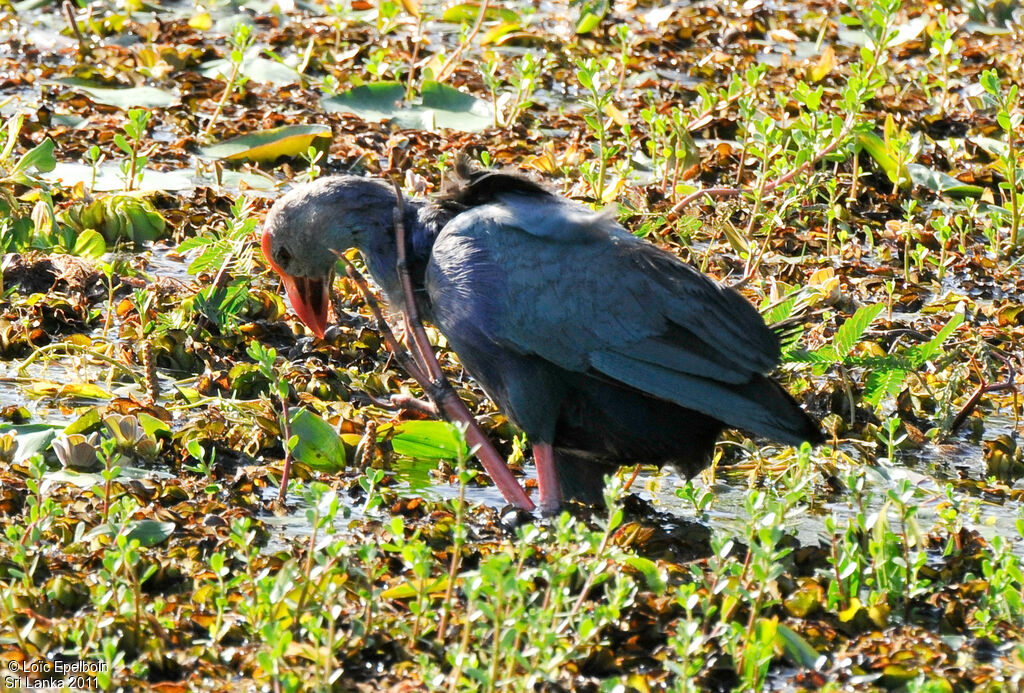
<point>577,290</point>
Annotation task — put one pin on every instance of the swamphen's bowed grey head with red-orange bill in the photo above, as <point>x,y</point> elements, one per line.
<point>307,228</point>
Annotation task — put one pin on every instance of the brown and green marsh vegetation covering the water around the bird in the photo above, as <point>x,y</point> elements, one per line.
<point>858,170</point>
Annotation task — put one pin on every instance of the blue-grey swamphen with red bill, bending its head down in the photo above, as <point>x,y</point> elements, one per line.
<point>605,350</point>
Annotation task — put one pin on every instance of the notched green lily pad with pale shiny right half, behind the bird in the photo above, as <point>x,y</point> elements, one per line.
<point>439,107</point>
